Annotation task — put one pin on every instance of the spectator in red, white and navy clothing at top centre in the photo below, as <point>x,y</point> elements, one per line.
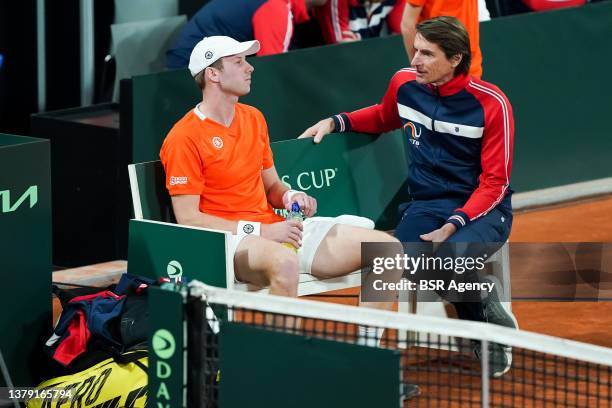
<point>351,20</point>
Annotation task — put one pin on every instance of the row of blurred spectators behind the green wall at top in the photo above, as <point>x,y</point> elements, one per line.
<point>282,25</point>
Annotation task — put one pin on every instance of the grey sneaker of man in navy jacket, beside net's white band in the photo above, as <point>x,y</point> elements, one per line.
<point>500,355</point>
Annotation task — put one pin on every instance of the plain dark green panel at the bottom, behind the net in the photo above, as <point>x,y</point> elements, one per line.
<point>263,368</point>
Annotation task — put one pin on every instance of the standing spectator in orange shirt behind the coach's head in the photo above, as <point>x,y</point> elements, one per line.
<point>465,11</point>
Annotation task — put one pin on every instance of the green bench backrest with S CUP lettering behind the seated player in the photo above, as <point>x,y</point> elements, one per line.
<point>347,174</point>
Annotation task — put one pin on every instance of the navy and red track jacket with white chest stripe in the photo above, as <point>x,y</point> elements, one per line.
<point>460,137</point>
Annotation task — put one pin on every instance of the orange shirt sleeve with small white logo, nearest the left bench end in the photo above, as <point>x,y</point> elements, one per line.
<point>183,165</point>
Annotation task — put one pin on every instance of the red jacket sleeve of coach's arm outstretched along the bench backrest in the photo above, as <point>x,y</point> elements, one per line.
<point>379,118</point>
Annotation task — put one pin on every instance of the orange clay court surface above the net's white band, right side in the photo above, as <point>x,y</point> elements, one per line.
<point>582,221</point>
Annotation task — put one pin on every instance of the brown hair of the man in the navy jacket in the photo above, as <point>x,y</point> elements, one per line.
<point>451,36</point>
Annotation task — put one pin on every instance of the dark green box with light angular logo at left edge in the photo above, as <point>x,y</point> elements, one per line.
<point>25,254</point>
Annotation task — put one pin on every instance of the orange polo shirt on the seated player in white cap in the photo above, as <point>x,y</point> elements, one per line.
<point>221,164</point>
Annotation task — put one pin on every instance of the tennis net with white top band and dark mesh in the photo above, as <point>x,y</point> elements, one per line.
<point>437,366</point>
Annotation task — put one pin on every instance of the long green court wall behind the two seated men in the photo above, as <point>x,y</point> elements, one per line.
<point>552,66</point>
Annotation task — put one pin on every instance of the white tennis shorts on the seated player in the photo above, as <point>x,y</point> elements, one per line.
<point>315,230</point>
